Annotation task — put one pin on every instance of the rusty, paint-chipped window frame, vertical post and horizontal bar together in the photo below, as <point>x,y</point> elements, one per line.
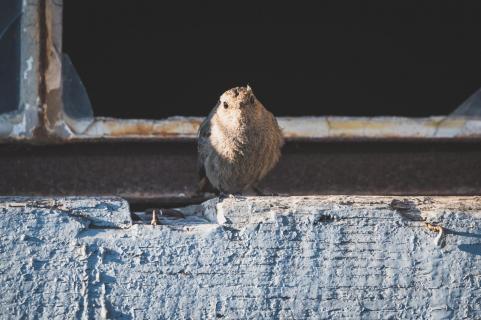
<point>41,118</point>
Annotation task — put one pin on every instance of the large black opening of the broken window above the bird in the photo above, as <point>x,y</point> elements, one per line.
<point>152,59</point>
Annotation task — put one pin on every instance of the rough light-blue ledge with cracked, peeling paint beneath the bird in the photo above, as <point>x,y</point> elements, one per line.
<point>268,257</point>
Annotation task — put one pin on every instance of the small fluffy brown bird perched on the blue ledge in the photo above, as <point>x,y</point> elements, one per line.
<point>239,143</point>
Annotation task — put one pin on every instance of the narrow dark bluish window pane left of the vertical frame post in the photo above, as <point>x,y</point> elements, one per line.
<point>10,12</point>
